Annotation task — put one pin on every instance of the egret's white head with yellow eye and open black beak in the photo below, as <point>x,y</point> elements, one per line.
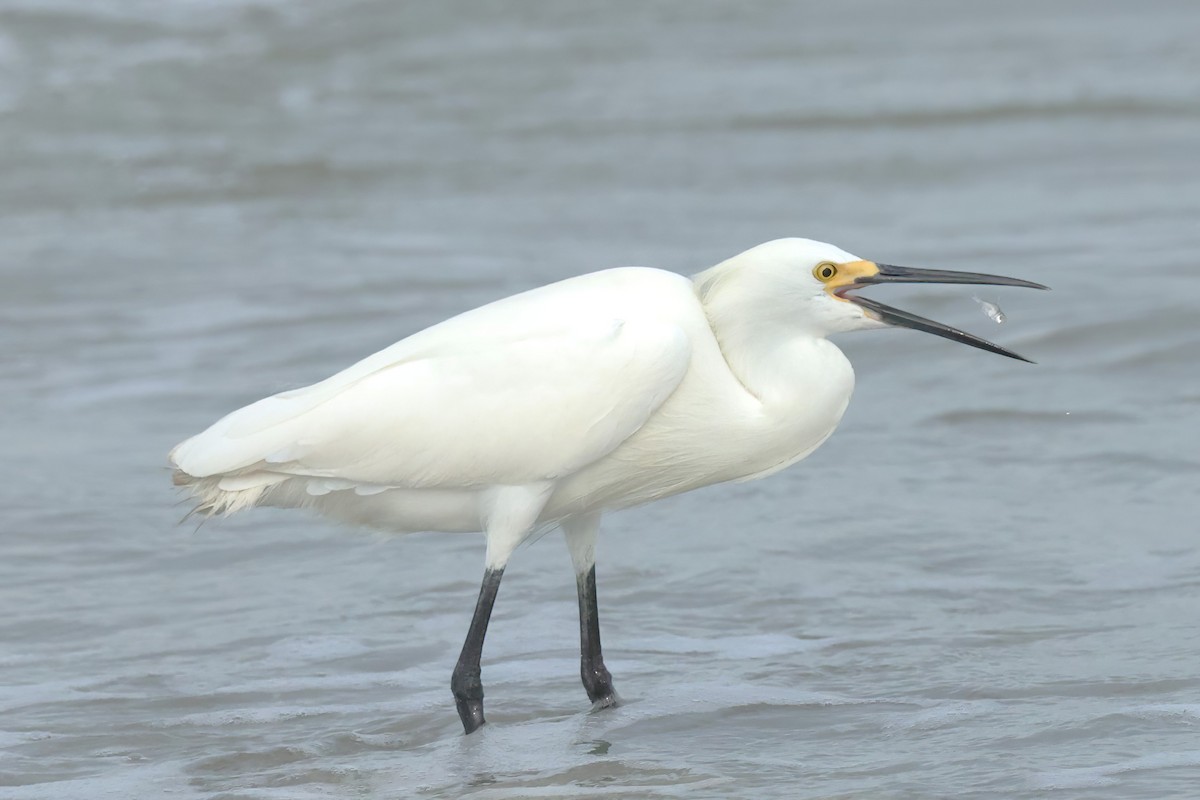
<point>813,286</point>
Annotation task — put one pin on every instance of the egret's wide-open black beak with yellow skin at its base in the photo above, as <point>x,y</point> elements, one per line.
<point>856,275</point>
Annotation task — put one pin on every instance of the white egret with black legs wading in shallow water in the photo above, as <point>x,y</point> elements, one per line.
<point>555,406</point>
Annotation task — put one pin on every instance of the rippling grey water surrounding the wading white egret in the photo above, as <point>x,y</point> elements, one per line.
<point>987,585</point>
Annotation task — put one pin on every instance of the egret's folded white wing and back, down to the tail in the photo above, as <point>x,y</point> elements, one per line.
<point>531,388</point>
